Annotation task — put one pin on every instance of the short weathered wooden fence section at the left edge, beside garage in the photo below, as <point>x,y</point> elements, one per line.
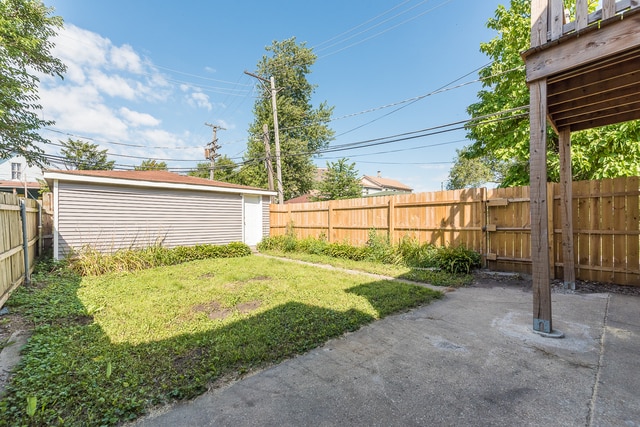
<point>20,231</point>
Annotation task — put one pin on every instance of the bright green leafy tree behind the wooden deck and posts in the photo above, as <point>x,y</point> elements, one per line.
<point>605,152</point>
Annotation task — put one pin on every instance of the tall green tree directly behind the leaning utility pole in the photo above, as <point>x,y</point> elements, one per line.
<point>303,128</point>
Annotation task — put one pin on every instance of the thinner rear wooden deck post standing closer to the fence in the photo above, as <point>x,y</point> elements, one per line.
<point>566,203</point>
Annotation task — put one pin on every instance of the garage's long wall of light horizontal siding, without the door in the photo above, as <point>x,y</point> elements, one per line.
<point>110,217</point>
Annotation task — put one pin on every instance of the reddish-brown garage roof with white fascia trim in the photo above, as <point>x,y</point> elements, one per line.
<point>153,178</point>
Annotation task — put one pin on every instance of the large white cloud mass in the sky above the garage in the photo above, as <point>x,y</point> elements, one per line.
<point>105,94</point>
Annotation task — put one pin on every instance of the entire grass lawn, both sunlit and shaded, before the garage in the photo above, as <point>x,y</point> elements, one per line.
<point>105,349</point>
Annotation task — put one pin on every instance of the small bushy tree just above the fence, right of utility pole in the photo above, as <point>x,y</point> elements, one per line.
<point>339,182</point>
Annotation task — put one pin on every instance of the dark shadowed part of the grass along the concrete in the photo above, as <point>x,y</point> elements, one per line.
<point>81,378</point>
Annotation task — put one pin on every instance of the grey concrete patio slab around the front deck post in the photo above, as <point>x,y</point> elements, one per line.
<point>469,359</point>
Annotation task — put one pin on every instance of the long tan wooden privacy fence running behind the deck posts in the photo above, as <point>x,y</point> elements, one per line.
<point>493,222</point>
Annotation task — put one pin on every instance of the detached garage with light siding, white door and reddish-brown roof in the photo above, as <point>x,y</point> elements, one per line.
<point>111,210</point>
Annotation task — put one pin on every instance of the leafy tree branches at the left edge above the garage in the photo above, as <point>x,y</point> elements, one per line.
<point>26,29</point>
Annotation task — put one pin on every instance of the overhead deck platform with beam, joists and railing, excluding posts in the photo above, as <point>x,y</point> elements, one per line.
<point>592,68</point>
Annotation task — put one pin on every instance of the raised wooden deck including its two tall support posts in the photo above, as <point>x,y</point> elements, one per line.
<point>581,74</point>
